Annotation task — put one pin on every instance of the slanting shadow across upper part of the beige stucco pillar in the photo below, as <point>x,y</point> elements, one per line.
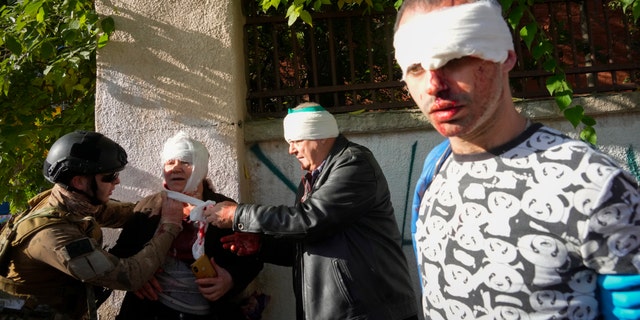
<point>158,66</point>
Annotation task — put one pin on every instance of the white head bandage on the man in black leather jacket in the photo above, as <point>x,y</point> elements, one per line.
<point>309,123</point>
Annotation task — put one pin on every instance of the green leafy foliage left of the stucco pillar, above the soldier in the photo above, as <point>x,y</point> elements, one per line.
<point>47,81</point>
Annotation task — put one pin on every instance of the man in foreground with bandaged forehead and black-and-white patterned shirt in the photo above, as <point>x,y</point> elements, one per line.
<point>511,219</point>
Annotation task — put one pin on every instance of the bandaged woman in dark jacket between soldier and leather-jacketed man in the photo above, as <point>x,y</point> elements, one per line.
<point>182,296</point>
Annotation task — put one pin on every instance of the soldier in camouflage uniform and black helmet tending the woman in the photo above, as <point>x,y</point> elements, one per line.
<point>54,255</point>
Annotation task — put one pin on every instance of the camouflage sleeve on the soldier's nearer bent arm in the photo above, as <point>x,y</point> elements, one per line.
<point>68,250</point>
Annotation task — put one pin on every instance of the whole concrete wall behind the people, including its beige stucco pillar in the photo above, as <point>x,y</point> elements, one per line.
<point>180,66</point>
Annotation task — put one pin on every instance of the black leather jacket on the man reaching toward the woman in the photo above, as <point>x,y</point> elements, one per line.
<point>346,255</point>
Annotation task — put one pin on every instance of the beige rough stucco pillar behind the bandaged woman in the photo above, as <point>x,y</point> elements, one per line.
<point>172,66</point>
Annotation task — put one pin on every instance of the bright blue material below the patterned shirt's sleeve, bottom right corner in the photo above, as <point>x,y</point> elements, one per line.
<point>619,296</point>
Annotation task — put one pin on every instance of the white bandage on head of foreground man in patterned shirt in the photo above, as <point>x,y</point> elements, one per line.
<point>432,39</point>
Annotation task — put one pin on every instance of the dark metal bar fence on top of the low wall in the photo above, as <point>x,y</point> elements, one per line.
<point>345,61</point>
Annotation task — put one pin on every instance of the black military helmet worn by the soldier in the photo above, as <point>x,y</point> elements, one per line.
<point>82,153</point>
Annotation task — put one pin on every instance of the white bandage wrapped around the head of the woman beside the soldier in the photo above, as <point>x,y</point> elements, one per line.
<point>182,147</point>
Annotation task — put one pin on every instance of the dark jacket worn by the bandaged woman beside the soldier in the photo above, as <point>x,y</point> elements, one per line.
<point>242,269</point>
